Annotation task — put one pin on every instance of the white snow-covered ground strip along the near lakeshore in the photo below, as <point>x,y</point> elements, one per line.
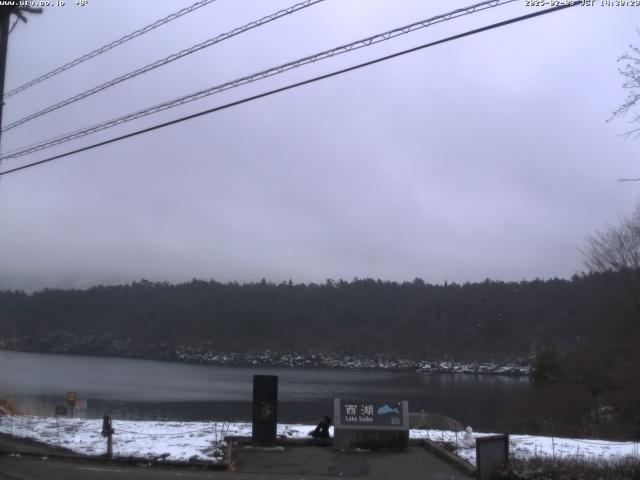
<point>198,440</point>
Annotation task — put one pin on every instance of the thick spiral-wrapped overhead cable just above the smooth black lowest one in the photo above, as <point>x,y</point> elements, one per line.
<point>254,77</point>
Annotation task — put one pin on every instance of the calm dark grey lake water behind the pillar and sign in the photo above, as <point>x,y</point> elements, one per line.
<point>147,389</point>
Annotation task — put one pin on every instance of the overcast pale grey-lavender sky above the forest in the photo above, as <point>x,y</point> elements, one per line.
<point>487,157</point>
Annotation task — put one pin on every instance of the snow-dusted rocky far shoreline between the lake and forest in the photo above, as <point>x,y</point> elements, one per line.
<point>108,344</point>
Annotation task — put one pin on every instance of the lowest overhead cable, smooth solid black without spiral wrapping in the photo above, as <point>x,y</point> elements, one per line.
<point>292,86</point>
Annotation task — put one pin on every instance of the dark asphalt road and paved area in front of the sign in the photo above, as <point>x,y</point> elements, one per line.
<point>296,462</point>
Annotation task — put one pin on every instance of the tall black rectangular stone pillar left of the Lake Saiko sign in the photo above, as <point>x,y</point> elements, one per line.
<point>265,410</point>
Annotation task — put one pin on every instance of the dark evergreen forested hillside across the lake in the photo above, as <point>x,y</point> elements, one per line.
<point>413,319</point>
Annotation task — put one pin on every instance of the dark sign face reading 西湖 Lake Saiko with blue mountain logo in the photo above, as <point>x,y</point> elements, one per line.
<point>371,414</point>
